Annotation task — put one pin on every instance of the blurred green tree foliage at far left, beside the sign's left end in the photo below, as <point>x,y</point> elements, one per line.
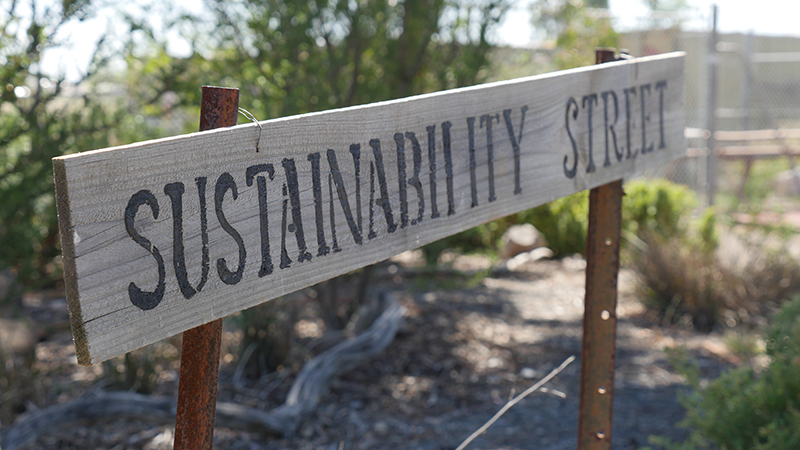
<point>42,117</point>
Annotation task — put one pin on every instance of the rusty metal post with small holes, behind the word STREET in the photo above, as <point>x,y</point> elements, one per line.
<point>600,318</point>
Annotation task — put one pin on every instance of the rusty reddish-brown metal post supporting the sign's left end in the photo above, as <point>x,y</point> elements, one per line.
<point>197,386</point>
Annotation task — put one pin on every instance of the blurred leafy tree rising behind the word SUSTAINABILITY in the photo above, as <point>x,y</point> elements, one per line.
<point>296,57</point>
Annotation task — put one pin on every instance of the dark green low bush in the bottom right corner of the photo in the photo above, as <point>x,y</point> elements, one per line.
<point>745,409</point>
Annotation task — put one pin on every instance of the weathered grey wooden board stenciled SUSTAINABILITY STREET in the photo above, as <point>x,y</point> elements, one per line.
<point>162,236</point>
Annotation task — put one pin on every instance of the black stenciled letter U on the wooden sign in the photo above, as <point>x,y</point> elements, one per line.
<point>175,193</point>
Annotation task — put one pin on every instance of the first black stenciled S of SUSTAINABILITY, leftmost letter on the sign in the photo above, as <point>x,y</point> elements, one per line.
<point>143,299</point>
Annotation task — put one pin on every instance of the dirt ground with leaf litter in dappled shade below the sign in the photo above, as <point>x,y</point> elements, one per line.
<point>460,356</point>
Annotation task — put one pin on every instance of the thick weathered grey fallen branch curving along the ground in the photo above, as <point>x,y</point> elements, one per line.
<point>310,385</point>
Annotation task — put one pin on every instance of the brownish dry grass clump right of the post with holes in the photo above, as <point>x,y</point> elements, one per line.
<point>688,280</point>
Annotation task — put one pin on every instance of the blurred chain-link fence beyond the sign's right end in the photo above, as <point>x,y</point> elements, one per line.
<point>755,102</point>
